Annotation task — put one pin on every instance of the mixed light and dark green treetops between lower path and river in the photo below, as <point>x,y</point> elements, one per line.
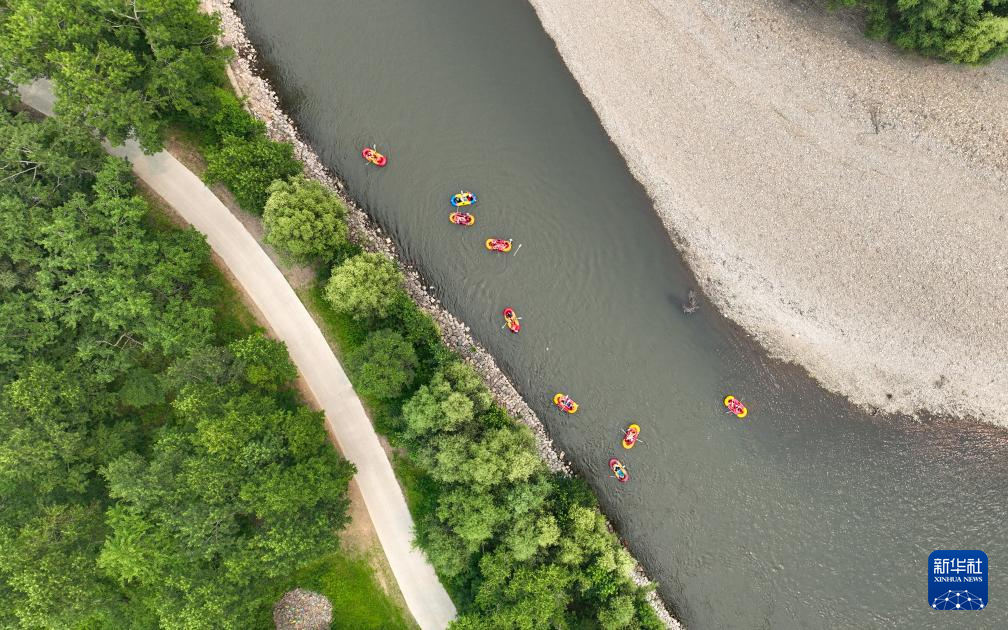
<point>532,553</point>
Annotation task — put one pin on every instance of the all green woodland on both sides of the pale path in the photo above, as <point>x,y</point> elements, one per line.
<point>158,469</point>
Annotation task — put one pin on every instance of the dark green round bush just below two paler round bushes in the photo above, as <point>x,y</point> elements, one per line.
<point>384,366</point>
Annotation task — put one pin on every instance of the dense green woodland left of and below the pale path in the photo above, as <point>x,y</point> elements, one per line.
<point>156,468</point>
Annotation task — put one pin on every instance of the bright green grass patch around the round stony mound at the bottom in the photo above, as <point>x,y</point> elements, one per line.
<point>359,603</point>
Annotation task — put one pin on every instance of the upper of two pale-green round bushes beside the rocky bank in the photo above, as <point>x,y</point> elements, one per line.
<point>305,221</point>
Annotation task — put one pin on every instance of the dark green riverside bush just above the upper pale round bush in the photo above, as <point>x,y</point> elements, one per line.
<point>248,166</point>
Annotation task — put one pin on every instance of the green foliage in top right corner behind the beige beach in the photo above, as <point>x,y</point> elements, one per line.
<point>966,32</point>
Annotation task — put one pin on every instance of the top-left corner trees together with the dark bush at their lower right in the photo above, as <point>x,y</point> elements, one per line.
<point>132,69</point>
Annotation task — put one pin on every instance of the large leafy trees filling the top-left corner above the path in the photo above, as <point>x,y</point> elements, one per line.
<point>122,68</point>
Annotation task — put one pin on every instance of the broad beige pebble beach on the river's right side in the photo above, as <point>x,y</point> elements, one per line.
<point>843,202</point>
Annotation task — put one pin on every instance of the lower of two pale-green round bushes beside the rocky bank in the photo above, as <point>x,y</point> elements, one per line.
<point>366,288</point>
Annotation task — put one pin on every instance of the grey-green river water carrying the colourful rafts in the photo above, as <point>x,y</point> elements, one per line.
<point>811,514</point>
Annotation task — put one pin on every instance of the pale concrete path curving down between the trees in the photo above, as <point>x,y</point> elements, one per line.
<point>264,283</point>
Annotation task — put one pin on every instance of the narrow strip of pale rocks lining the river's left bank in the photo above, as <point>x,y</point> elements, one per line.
<point>264,102</point>
